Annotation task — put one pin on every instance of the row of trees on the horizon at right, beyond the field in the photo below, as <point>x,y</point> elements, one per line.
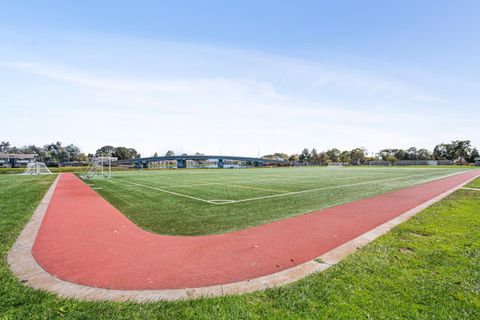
<point>459,151</point>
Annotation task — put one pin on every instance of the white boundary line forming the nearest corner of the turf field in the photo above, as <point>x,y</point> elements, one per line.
<point>215,202</point>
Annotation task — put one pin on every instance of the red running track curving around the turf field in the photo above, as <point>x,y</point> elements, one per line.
<point>85,240</point>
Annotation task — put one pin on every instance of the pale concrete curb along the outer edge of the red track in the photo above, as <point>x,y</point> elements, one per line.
<point>26,269</point>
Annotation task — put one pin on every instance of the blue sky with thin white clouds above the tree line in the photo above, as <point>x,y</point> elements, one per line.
<point>249,78</point>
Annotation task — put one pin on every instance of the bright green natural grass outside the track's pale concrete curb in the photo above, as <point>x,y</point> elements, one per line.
<point>426,268</point>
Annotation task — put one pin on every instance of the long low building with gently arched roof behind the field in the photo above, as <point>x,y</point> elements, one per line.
<point>181,161</point>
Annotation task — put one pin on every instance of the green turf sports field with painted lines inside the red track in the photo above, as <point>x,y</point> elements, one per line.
<point>198,202</point>
